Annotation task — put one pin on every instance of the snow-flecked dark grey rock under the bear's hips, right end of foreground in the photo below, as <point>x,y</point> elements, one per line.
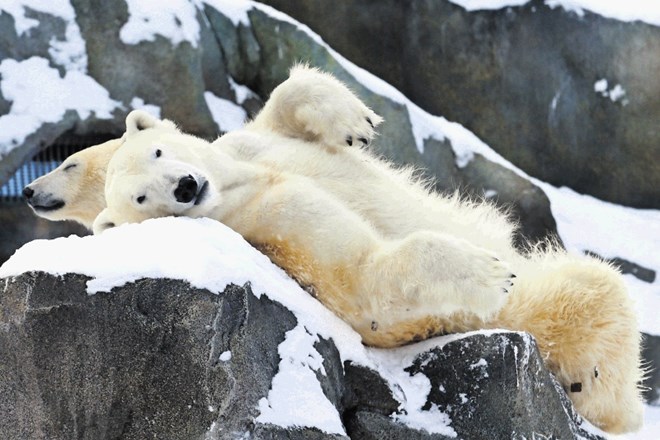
<point>498,387</point>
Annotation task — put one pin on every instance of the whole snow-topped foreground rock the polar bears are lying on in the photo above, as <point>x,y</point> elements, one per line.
<point>194,334</point>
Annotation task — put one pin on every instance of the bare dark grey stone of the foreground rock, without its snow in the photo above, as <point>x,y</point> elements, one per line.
<point>160,359</point>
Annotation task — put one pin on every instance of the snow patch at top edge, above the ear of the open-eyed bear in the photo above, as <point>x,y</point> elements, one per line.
<point>175,20</point>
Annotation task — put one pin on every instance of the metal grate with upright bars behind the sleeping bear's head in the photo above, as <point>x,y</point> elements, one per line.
<point>45,161</point>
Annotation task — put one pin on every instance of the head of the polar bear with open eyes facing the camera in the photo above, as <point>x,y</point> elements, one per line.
<point>158,172</point>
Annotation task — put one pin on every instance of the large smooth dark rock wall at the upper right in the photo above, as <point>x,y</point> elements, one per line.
<point>530,97</point>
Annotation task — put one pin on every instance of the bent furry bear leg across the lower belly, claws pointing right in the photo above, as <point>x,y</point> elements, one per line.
<point>432,274</point>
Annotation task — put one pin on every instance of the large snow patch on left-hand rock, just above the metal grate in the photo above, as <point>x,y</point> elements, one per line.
<point>39,95</point>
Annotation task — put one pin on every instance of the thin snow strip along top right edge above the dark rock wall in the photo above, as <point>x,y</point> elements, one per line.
<point>647,11</point>
